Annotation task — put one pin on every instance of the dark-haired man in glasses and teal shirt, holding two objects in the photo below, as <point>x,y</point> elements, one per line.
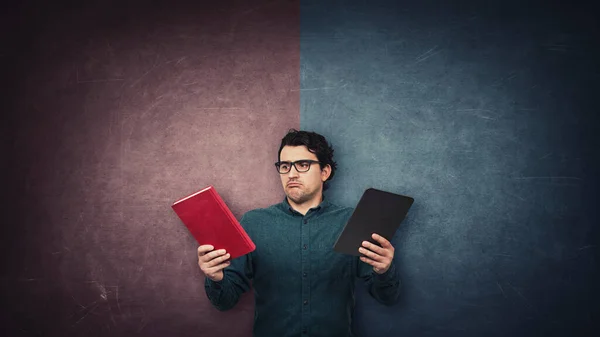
<point>301,286</point>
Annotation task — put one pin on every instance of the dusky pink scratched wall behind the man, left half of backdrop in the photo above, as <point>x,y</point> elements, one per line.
<point>117,109</point>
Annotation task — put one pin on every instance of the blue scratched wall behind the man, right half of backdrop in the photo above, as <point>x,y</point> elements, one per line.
<point>486,114</point>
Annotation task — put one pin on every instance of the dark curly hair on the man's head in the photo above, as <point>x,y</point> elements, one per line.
<point>316,144</point>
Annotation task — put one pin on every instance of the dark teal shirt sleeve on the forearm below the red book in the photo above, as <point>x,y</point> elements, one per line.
<point>237,277</point>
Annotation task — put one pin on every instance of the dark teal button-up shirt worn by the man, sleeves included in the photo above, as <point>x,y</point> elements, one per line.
<point>301,286</point>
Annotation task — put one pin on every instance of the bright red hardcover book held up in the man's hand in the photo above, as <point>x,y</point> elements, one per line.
<point>210,222</point>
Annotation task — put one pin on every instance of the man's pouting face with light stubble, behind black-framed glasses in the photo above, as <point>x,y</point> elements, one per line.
<point>302,186</point>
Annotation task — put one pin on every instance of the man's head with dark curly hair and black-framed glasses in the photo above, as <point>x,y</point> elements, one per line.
<point>305,180</point>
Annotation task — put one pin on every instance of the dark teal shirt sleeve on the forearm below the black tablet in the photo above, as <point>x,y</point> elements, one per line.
<point>385,288</point>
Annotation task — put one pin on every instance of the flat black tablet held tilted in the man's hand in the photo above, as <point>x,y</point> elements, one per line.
<point>378,212</point>
